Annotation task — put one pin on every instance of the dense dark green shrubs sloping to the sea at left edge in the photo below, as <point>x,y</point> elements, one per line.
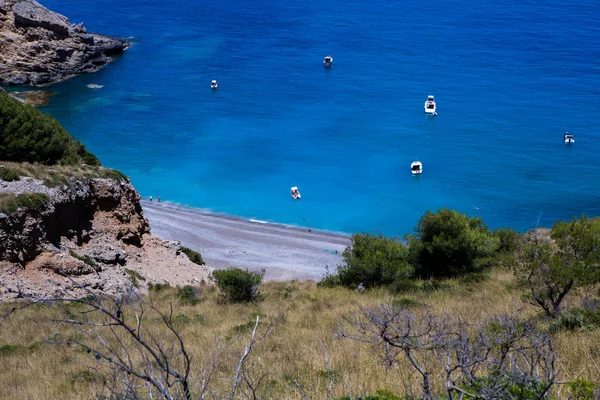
<point>28,135</point>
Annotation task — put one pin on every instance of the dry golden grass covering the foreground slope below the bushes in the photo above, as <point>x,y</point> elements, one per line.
<point>304,357</point>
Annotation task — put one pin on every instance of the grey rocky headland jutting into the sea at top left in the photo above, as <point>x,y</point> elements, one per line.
<point>38,46</point>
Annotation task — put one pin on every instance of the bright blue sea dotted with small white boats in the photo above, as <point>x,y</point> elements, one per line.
<point>510,77</point>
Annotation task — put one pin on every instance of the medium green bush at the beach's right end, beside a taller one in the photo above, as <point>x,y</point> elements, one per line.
<point>374,261</point>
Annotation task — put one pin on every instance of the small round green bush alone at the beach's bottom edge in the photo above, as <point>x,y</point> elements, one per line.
<point>238,285</point>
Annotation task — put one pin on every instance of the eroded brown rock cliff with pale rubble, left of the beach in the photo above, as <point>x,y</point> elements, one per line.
<point>89,236</point>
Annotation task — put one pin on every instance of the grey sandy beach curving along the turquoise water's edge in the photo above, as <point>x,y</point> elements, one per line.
<point>285,252</point>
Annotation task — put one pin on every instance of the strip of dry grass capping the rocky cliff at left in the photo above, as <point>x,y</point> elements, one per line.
<point>56,175</point>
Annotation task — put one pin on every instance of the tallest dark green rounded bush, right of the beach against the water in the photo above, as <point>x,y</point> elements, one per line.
<point>450,244</point>
